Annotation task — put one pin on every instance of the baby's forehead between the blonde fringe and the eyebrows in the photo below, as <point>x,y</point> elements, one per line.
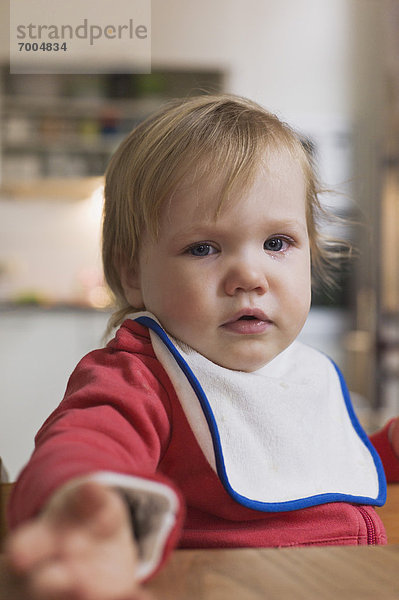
<point>278,183</point>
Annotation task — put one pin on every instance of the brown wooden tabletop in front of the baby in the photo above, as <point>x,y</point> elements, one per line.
<point>323,573</point>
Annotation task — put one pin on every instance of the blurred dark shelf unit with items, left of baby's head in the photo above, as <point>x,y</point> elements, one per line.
<point>68,126</point>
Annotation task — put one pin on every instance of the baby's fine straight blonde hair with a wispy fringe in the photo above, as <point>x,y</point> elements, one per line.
<point>212,135</point>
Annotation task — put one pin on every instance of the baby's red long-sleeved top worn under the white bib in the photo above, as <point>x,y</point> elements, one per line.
<point>120,413</point>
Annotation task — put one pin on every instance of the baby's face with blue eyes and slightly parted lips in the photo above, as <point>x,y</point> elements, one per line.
<point>235,288</point>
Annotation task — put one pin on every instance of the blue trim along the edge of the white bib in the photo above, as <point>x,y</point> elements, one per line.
<point>217,446</point>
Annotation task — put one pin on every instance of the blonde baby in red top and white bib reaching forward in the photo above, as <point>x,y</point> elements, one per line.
<point>204,422</point>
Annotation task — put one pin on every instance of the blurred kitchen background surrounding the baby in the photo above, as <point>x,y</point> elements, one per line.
<point>330,68</point>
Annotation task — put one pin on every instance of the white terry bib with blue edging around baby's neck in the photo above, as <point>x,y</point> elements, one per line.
<point>281,438</point>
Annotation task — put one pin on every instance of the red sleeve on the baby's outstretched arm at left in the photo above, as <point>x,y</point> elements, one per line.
<point>114,417</point>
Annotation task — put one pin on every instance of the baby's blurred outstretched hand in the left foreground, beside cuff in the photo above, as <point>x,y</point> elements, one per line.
<point>80,548</point>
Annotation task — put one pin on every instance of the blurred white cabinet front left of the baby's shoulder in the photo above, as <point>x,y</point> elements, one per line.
<point>39,348</point>
